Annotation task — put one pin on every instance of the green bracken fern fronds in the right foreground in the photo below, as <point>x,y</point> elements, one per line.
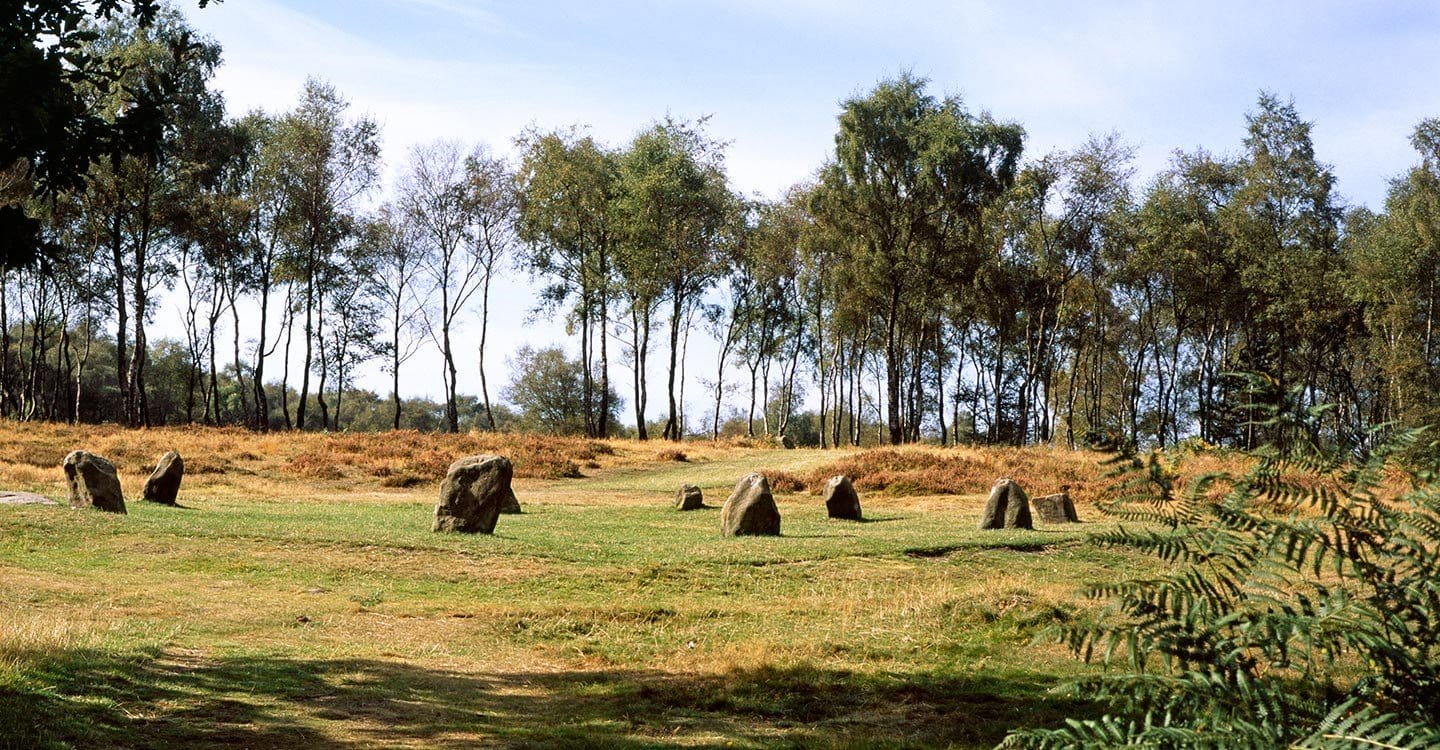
<point>1301,607</point>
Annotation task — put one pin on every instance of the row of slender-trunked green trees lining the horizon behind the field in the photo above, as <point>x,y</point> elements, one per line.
<point>930,283</point>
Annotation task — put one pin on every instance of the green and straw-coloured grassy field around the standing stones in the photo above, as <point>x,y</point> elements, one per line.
<point>299,600</point>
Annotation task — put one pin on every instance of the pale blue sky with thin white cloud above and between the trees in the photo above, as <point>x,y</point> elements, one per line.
<point>773,76</point>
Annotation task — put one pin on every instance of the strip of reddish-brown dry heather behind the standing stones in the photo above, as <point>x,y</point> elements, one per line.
<point>30,456</point>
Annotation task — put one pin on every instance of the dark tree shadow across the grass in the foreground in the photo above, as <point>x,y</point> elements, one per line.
<point>91,699</point>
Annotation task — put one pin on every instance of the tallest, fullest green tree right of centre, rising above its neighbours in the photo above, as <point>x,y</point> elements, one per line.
<point>911,179</point>
